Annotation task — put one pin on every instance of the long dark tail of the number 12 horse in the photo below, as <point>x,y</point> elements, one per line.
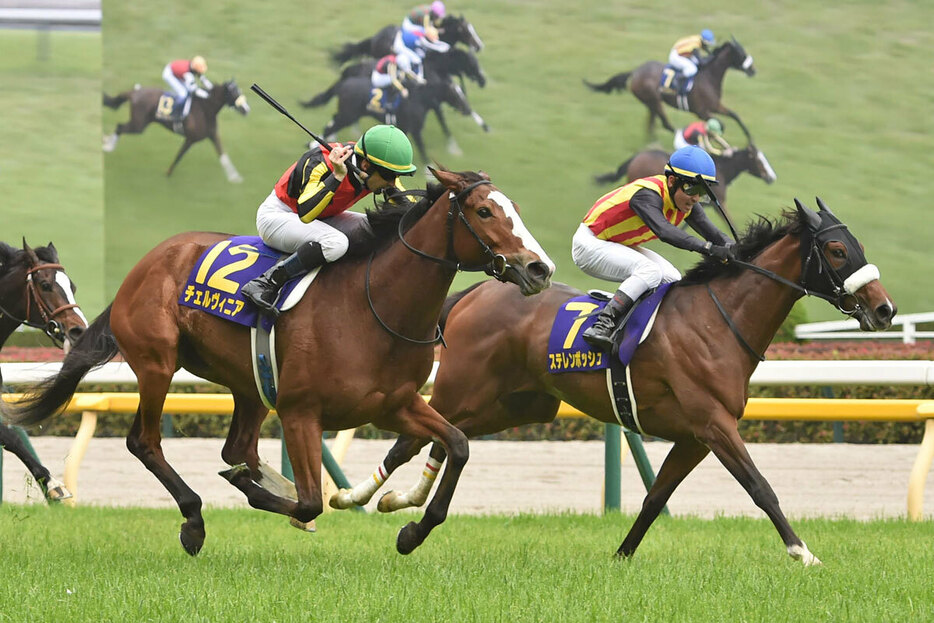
<point>95,347</point>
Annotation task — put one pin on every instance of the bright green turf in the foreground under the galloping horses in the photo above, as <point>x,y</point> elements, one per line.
<point>91,564</point>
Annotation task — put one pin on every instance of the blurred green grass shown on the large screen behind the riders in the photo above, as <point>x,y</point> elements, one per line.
<point>839,105</point>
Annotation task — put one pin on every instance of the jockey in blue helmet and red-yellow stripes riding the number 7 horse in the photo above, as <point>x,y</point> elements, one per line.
<point>608,244</point>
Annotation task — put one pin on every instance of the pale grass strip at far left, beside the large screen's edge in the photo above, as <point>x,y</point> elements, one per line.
<point>50,164</point>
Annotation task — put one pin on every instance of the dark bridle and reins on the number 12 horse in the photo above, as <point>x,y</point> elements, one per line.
<point>496,267</point>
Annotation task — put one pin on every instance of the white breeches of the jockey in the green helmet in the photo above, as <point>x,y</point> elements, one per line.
<point>282,229</point>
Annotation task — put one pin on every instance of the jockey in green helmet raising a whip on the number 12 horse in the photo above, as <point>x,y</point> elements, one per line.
<point>314,194</point>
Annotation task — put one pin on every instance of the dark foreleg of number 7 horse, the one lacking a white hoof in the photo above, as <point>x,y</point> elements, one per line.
<point>681,460</point>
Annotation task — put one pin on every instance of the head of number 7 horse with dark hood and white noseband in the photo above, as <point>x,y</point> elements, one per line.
<point>835,267</point>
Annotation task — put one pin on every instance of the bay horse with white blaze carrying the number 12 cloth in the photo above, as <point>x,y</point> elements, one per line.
<point>355,349</point>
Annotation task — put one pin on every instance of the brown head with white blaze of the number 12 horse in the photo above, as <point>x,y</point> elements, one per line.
<point>492,233</point>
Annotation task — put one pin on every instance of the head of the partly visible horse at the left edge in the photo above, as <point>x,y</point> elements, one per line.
<point>49,297</point>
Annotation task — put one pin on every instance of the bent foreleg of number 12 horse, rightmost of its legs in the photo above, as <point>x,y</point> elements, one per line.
<point>421,421</point>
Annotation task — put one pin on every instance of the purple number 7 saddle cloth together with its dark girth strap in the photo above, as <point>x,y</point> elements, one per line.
<point>568,352</point>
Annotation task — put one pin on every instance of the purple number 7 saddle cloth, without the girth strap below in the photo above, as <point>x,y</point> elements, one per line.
<point>567,350</point>
